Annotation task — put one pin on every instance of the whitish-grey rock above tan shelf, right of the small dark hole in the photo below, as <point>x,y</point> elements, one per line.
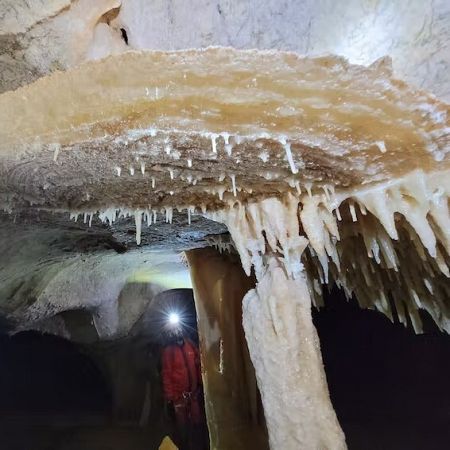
<point>414,33</point>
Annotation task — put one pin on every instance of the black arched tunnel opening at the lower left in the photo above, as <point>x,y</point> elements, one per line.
<point>46,375</point>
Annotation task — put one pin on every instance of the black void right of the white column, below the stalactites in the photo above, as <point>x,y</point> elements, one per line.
<point>389,386</point>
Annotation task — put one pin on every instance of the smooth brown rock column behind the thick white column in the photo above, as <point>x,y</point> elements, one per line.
<point>233,408</point>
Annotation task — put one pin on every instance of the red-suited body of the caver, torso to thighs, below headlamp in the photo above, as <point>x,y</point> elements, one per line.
<point>181,378</point>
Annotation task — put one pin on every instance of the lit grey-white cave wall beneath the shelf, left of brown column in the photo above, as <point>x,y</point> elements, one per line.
<point>46,271</point>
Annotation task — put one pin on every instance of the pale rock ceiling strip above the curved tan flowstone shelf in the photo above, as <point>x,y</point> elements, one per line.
<point>40,37</point>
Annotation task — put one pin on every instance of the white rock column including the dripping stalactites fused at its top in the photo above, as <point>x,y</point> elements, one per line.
<point>283,343</point>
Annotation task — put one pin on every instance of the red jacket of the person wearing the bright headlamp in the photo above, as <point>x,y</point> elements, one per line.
<point>180,370</point>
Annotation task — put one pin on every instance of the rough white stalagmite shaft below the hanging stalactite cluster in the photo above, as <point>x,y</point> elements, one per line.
<point>285,351</point>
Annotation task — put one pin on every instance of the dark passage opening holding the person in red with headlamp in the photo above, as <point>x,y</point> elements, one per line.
<point>171,324</point>
